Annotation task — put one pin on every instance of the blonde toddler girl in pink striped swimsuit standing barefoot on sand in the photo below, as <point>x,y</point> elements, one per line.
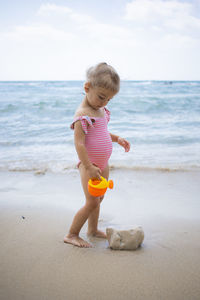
<point>93,144</point>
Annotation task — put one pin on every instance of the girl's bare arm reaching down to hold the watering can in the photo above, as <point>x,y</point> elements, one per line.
<point>79,141</point>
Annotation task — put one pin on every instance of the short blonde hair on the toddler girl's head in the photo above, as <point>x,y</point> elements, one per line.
<point>105,76</point>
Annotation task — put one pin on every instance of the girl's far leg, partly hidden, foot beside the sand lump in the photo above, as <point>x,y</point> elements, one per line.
<point>94,215</point>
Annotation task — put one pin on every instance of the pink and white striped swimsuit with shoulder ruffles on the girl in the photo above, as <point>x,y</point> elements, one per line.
<point>98,141</point>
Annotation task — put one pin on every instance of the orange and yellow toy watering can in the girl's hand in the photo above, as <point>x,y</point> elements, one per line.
<point>98,188</point>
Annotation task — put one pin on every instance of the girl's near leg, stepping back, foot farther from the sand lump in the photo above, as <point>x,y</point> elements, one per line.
<point>82,215</point>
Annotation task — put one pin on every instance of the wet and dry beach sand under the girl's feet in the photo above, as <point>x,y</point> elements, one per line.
<point>36,212</point>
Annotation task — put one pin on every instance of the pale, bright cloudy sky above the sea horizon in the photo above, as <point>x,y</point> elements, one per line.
<point>61,39</point>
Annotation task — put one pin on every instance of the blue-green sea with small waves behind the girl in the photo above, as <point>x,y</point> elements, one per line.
<point>160,119</point>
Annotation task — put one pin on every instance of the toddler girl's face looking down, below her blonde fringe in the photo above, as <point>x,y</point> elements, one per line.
<point>98,97</point>
